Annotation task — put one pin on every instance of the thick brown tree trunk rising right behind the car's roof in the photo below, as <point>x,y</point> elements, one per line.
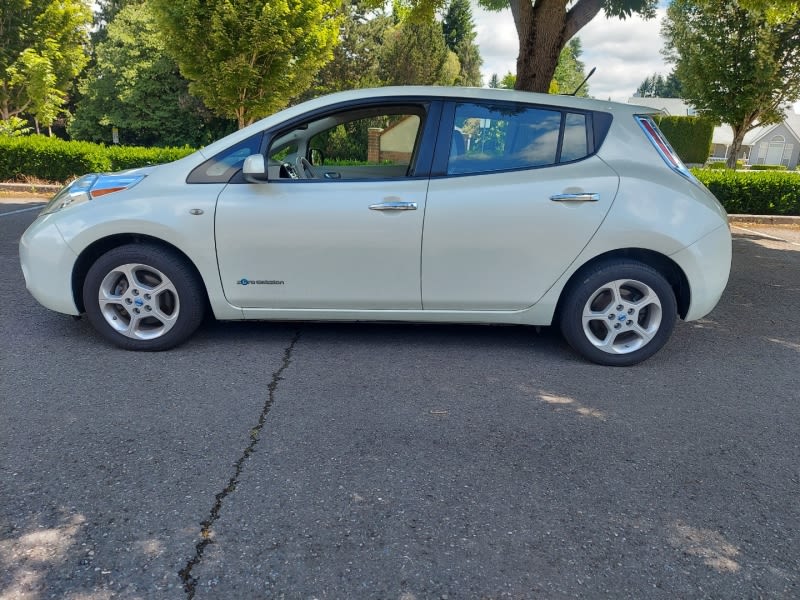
<point>544,27</point>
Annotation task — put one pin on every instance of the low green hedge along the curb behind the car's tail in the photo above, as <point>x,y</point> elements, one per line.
<point>754,193</point>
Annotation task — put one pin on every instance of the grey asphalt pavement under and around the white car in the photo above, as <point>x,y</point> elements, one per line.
<point>402,462</point>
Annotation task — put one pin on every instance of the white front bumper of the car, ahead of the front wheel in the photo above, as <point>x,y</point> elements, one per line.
<point>47,264</point>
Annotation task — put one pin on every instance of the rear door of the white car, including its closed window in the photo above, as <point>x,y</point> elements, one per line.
<point>516,193</point>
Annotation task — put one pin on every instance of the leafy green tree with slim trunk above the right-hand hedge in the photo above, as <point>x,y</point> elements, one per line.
<point>736,66</point>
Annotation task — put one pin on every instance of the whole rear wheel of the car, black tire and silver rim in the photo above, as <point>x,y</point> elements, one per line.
<point>629,308</point>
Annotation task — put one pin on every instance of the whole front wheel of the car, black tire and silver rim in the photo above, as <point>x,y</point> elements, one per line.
<point>153,299</point>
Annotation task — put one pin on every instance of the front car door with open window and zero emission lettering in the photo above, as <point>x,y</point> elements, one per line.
<point>344,233</point>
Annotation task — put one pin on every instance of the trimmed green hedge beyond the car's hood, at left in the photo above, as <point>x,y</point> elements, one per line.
<point>53,159</point>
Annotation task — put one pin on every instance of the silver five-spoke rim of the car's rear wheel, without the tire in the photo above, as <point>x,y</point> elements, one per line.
<point>622,316</point>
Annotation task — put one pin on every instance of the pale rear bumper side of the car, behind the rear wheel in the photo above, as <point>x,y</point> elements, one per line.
<point>707,265</point>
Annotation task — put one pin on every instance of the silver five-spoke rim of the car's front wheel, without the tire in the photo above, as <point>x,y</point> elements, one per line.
<point>139,301</point>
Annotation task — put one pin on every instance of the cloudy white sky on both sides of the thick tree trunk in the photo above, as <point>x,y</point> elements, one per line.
<point>624,52</point>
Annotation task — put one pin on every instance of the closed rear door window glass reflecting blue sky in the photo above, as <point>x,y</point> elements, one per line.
<point>501,138</point>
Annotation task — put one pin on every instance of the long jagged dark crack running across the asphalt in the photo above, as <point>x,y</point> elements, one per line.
<point>189,582</point>
